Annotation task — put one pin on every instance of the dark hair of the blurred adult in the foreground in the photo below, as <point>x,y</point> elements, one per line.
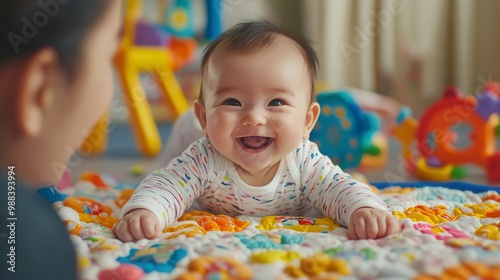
<point>26,26</point>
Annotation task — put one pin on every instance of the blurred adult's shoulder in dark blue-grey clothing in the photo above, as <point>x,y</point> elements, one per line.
<point>39,239</point>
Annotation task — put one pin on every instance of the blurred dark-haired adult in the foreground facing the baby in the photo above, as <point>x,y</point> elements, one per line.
<point>56,81</point>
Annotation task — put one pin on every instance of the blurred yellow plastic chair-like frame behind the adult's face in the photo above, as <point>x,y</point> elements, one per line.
<point>130,61</point>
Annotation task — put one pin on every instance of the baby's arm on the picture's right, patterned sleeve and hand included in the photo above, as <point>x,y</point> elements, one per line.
<point>347,201</point>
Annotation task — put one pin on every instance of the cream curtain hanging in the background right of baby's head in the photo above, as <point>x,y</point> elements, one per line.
<point>409,49</point>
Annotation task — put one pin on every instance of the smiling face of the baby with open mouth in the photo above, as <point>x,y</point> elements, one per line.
<point>257,105</point>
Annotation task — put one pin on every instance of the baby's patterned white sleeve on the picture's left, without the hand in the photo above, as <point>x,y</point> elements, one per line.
<point>168,192</point>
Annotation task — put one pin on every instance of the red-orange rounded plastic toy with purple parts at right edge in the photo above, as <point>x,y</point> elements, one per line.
<point>440,155</point>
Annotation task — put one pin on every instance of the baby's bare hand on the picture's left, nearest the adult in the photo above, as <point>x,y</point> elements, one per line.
<point>137,224</point>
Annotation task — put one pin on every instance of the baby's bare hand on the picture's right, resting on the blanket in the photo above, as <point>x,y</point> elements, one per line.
<point>371,223</point>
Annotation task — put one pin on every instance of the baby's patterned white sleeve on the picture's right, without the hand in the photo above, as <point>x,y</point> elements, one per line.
<point>331,190</point>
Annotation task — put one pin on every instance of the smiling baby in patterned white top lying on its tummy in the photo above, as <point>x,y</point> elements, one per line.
<point>256,109</point>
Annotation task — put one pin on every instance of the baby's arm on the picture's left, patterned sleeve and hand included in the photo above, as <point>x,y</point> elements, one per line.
<point>165,194</point>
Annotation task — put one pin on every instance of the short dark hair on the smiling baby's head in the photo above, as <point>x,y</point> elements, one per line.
<point>254,35</point>
